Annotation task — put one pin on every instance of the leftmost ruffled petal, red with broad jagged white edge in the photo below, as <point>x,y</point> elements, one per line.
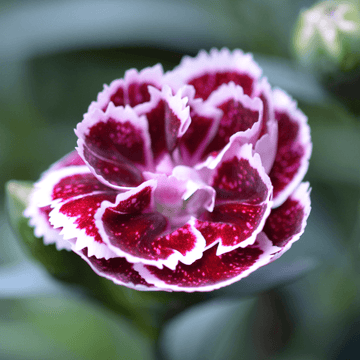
<point>74,194</point>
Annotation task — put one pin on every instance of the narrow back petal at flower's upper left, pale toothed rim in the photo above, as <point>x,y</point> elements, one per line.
<point>132,90</point>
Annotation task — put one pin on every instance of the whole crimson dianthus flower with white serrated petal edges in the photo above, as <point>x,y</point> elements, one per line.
<point>183,181</point>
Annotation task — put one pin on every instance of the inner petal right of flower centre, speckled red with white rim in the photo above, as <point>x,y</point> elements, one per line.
<point>243,199</point>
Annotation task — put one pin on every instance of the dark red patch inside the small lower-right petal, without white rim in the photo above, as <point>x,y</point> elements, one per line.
<point>284,222</point>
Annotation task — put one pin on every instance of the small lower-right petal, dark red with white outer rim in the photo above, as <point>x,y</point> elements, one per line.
<point>286,223</point>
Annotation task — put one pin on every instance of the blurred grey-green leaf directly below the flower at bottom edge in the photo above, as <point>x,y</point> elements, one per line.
<point>213,331</point>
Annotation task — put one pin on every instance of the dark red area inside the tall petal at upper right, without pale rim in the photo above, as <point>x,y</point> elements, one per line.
<point>289,154</point>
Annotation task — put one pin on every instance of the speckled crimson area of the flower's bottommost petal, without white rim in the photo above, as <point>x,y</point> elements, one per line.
<point>210,269</point>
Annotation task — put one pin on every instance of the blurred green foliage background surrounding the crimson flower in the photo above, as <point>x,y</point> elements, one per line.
<point>55,57</point>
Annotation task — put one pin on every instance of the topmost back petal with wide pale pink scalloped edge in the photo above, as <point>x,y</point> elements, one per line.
<point>206,72</point>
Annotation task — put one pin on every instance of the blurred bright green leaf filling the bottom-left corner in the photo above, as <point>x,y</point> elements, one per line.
<point>60,328</point>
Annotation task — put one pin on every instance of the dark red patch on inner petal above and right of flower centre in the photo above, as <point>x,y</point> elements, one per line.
<point>236,118</point>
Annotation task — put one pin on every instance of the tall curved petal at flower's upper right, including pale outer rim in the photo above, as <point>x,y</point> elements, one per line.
<point>294,147</point>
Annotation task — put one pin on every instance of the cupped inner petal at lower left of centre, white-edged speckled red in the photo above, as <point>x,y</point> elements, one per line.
<point>134,229</point>
